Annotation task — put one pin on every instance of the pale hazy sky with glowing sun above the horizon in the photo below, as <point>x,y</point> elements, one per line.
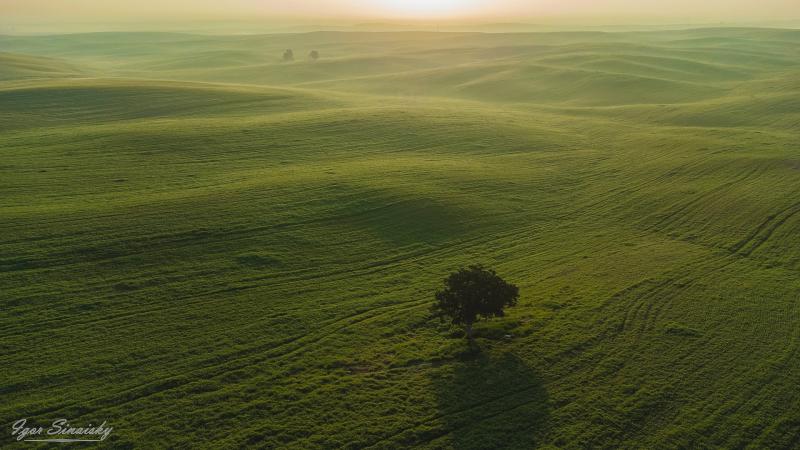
<point>516,10</point>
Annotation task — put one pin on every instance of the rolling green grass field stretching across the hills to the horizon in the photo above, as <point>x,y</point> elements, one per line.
<point>211,248</point>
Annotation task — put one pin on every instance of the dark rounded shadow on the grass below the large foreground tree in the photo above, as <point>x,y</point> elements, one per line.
<point>491,402</point>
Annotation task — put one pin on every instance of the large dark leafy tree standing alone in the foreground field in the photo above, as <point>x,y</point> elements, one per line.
<point>473,294</point>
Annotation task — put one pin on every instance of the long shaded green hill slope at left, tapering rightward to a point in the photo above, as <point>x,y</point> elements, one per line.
<point>93,101</point>
